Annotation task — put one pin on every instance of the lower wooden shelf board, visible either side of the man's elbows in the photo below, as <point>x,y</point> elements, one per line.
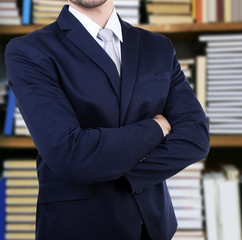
<point>215,141</point>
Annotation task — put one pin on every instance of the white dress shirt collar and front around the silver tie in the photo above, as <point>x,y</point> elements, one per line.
<point>93,28</point>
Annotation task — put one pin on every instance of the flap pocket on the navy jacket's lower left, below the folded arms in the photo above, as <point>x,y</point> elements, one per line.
<point>61,190</point>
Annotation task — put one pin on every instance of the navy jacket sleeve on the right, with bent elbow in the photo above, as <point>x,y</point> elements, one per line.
<point>187,143</point>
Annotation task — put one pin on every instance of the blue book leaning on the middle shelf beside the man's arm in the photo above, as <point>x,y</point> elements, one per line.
<point>9,117</point>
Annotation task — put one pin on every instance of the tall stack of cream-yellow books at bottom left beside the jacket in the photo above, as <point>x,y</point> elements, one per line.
<point>21,198</point>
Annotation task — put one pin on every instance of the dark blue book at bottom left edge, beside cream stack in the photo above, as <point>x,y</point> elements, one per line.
<point>2,208</point>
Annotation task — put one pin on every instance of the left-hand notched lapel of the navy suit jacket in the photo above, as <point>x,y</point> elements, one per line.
<point>81,38</point>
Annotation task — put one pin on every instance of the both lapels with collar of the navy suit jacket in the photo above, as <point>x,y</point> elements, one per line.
<point>77,34</point>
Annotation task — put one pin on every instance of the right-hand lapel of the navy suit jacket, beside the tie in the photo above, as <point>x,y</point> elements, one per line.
<point>130,57</point>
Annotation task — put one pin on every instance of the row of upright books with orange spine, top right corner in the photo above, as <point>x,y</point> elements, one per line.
<point>218,11</point>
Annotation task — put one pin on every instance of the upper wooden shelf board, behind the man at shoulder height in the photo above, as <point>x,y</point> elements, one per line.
<point>162,28</point>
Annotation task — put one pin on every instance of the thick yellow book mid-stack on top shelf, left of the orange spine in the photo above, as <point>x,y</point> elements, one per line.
<point>168,8</point>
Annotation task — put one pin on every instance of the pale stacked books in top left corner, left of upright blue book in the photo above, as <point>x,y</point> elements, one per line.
<point>9,13</point>
